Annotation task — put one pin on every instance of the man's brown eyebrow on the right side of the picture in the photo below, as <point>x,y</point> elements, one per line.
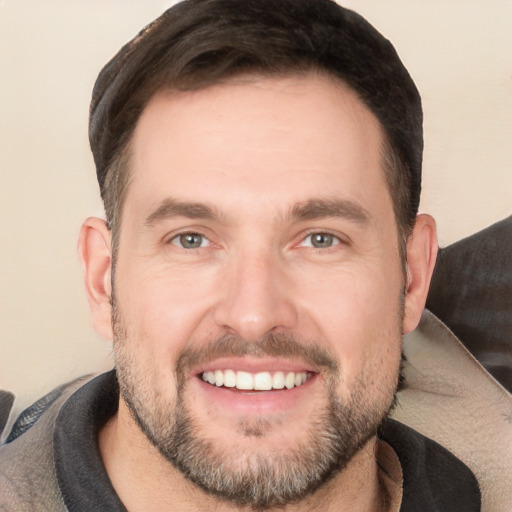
<point>338,208</point>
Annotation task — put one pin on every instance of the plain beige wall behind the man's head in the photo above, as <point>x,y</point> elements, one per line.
<point>458,51</point>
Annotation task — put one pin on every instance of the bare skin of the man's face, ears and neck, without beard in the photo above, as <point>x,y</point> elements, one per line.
<point>255,152</point>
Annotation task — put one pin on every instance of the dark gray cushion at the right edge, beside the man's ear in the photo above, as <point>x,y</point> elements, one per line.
<point>471,293</point>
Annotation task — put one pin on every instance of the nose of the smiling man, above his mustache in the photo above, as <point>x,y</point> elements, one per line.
<point>256,297</point>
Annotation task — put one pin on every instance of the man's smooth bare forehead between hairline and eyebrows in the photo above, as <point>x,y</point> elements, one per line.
<point>258,137</point>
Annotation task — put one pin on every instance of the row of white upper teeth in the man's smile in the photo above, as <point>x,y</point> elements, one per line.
<point>261,381</point>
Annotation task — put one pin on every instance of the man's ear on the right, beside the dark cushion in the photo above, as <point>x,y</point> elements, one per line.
<point>421,258</point>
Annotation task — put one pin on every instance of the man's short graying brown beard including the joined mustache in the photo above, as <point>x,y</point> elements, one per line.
<point>256,480</point>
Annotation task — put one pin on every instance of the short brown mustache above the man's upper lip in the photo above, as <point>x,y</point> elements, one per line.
<point>273,345</point>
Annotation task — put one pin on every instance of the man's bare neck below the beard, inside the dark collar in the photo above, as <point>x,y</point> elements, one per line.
<point>137,471</point>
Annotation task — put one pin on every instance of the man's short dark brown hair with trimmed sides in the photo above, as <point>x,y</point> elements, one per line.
<point>198,43</point>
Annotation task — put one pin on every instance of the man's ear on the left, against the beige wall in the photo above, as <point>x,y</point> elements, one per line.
<point>95,254</point>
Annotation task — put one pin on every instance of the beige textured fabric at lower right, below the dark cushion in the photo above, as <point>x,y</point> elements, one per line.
<point>452,399</point>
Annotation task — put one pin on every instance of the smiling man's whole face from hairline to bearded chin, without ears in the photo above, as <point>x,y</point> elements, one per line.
<point>258,285</point>
